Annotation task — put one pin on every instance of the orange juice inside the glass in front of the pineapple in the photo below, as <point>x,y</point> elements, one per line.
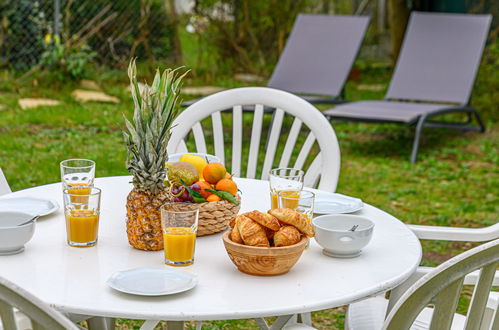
<point>179,245</point>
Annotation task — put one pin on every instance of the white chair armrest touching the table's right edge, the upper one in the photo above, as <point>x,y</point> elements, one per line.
<point>455,233</point>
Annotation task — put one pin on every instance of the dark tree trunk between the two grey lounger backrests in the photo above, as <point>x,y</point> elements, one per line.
<point>398,15</point>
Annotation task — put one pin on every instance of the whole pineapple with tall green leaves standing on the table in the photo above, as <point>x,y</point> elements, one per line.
<point>155,109</point>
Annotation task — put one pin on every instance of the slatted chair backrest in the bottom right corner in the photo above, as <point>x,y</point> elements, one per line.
<point>442,288</point>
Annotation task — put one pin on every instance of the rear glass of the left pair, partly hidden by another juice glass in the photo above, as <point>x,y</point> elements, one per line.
<point>77,175</point>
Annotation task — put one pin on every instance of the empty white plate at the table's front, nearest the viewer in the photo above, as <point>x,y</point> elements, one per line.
<point>148,281</point>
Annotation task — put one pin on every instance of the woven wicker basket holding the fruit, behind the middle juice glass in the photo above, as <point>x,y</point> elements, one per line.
<point>214,217</point>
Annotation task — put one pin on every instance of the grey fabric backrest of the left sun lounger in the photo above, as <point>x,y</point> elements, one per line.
<point>319,54</point>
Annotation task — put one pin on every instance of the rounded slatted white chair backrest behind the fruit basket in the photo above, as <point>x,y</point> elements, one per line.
<point>305,129</point>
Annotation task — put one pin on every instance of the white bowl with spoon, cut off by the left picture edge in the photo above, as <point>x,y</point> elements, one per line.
<point>12,236</point>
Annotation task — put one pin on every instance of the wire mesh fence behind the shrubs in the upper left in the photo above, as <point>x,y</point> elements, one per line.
<point>114,30</point>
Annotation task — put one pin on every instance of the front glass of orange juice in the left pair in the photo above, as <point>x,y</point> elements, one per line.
<point>82,217</point>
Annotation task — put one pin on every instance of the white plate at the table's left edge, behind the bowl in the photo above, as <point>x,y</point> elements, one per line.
<point>30,205</point>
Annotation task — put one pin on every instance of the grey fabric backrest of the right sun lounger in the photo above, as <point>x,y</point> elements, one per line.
<point>439,58</point>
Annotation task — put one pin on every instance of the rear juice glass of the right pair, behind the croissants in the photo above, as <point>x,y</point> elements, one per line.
<point>284,179</point>
